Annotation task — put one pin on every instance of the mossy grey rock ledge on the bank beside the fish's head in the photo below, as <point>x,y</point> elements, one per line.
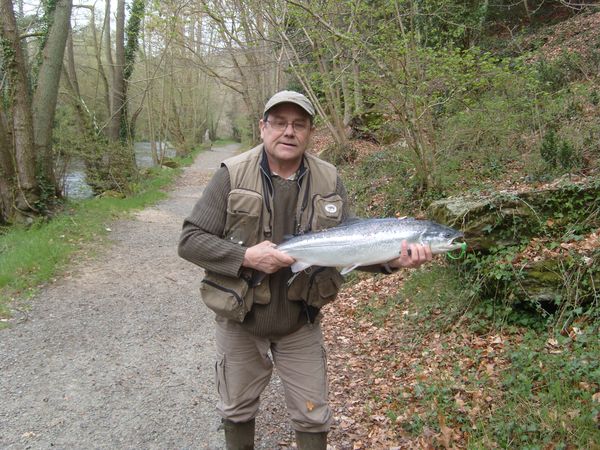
<point>509,219</point>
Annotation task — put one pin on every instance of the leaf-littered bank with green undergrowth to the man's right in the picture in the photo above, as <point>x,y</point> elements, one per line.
<point>423,358</point>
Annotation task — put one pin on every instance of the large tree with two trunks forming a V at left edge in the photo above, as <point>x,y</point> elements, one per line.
<point>28,117</point>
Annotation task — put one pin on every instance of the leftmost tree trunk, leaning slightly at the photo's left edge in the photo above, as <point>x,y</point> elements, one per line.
<point>20,104</point>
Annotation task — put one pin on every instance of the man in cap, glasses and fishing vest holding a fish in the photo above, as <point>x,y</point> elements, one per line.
<point>251,203</point>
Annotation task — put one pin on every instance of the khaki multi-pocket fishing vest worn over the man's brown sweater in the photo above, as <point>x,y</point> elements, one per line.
<point>250,221</point>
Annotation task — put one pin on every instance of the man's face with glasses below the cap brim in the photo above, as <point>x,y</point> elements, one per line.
<point>286,133</point>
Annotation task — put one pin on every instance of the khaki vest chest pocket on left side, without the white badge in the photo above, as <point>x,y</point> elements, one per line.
<point>244,208</point>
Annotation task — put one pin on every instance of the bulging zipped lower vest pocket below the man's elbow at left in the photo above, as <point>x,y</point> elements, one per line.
<point>228,297</point>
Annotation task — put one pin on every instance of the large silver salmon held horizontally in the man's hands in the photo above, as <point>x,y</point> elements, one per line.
<point>367,241</point>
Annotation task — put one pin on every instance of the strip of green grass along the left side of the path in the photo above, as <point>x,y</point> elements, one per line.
<point>35,255</point>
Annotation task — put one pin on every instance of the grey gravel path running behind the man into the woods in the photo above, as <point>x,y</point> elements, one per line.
<point>119,353</point>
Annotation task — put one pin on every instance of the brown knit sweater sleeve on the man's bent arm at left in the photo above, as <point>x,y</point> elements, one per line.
<point>200,241</point>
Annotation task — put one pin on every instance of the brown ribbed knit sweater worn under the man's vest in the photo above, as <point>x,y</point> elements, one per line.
<point>200,244</point>
